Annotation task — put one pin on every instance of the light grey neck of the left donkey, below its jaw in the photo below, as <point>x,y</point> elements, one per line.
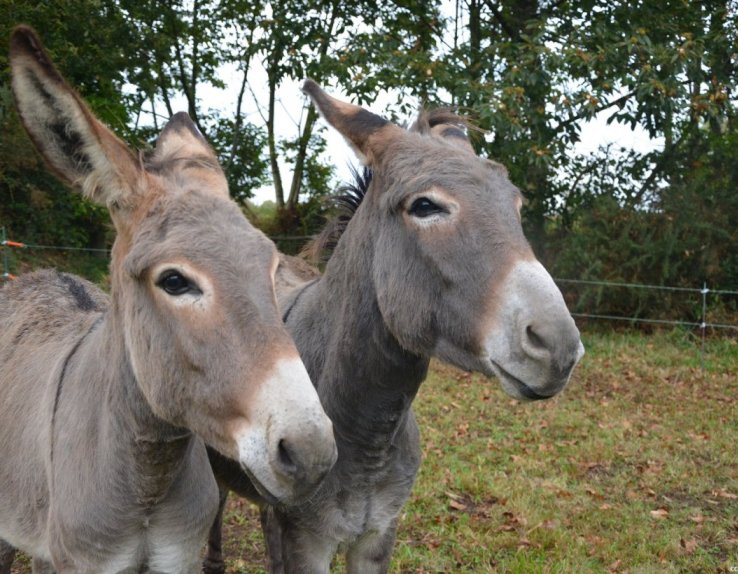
<point>133,448</point>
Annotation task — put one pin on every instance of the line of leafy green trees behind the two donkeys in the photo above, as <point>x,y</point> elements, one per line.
<point>530,73</point>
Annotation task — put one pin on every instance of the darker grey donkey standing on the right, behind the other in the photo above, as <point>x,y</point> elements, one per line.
<point>433,263</point>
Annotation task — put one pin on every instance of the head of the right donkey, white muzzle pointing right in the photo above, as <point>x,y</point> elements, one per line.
<point>453,273</point>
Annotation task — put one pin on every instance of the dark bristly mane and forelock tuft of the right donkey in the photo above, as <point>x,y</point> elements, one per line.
<point>349,195</point>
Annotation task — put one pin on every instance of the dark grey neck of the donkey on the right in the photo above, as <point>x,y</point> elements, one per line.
<point>366,381</point>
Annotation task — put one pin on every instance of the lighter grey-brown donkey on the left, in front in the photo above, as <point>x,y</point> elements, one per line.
<point>105,401</point>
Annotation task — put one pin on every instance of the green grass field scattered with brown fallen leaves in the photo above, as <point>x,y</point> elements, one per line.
<point>634,468</point>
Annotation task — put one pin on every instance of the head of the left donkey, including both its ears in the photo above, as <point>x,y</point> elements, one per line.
<point>193,309</point>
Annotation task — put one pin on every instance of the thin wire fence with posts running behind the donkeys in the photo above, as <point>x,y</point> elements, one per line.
<point>703,325</point>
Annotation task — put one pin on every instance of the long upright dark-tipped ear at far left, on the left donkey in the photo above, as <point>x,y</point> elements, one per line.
<point>77,146</point>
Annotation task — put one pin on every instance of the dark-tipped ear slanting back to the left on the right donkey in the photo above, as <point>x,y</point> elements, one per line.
<point>367,133</point>
